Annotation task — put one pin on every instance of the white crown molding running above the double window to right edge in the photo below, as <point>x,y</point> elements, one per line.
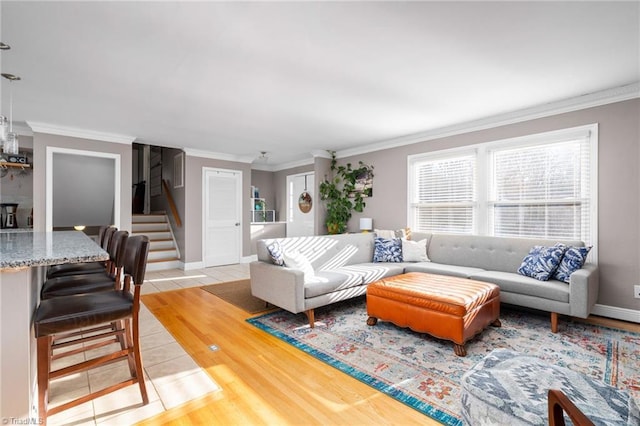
<point>590,100</point>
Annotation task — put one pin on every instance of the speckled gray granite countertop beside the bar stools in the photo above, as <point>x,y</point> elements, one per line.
<point>24,249</point>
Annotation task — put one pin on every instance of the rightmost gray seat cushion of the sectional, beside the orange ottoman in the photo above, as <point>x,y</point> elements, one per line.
<point>519,284</point>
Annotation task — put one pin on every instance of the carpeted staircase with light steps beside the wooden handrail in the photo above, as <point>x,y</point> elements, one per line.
<point>163,251</point>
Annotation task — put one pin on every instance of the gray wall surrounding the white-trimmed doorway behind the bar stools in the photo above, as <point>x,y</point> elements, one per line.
<point>40,143</point>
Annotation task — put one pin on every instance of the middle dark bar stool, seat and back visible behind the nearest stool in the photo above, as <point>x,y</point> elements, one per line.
<point>67,285</point>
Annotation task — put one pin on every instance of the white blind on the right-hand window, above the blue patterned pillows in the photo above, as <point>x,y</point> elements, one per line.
<point>541,191</point>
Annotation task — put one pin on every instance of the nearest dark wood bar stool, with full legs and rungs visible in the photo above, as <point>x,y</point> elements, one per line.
<point>72,315</point>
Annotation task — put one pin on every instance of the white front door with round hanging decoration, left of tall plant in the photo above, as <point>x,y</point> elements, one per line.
<point>300,218</point>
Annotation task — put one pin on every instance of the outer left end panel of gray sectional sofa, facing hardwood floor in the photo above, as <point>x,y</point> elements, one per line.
<point>278,285</point>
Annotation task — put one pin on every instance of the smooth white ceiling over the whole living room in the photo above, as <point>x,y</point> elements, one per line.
<point>293,77</point>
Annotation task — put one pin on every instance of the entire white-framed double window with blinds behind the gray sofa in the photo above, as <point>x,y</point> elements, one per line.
<point>542,186</point>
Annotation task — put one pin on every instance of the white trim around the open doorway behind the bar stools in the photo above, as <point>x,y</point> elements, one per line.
<point>49,181</point>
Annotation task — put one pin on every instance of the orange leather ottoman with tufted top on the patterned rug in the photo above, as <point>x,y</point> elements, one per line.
<point>446,307</point>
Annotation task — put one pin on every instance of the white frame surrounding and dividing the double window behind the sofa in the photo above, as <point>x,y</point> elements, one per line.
<point>484,177</point>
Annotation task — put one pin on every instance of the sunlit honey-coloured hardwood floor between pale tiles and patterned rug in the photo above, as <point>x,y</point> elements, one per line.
<point>264,380</point>
